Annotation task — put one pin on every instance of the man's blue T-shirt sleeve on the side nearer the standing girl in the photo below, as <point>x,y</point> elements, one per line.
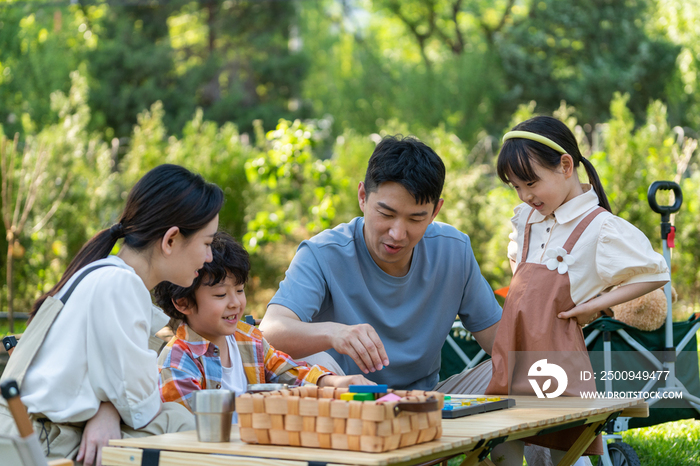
<point>479,309</point>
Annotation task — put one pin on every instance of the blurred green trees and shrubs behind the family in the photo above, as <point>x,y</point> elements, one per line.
<point>281,102</point>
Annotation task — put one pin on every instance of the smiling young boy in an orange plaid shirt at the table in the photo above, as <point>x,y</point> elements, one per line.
<point>212,348</point>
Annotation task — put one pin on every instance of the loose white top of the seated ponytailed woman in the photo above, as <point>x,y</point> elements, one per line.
<point>97,350</point>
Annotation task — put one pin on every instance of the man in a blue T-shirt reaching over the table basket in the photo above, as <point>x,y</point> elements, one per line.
<point>381,293</point>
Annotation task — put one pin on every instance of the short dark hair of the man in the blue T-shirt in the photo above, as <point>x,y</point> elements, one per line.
<point>409,162</point>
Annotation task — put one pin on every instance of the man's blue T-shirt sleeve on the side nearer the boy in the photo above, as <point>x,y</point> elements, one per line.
<point>304,288</point>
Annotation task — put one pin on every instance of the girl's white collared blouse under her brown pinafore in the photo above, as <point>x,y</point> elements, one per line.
<point>610,252</point>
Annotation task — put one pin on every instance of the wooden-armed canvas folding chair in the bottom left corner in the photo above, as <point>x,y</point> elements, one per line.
<point>24,450</point>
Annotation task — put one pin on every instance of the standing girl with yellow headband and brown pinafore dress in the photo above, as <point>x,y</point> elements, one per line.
<point>566,248</point>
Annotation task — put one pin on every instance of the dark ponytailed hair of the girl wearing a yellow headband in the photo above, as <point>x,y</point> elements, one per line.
<point>515,156</point>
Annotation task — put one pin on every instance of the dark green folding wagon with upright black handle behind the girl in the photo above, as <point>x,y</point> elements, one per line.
<point>625,349</point>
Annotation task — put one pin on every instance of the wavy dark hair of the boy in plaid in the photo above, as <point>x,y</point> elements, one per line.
<point>229,259</point>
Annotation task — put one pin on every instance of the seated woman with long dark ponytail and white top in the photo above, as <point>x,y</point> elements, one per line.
<point>89,376</point>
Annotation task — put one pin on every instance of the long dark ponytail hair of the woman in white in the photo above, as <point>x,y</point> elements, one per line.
<point>167,196</point>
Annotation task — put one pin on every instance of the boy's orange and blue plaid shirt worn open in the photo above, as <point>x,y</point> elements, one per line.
<point>189,363</point>
